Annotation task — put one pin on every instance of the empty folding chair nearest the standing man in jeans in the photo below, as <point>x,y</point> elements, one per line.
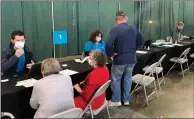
<point>145,80</point>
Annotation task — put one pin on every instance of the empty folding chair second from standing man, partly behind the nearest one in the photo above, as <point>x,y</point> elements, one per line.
<point>158,70</point>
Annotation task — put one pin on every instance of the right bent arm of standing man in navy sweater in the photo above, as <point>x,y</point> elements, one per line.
<point>139,39</point>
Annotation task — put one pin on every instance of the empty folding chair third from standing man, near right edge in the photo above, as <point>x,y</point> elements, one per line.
<point>180,60</point>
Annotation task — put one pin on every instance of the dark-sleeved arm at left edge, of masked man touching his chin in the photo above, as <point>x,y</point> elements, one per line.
<point>6,63</point>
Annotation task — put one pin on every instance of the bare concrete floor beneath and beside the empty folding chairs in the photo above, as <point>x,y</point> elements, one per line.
<point>174,100</point>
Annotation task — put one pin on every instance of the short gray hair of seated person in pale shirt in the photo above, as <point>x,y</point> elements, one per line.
<point>50,66</point>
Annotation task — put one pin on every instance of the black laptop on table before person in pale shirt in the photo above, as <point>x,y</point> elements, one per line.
<point>35,71</point>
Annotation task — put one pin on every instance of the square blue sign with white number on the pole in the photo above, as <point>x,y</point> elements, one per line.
<point>60,37</point>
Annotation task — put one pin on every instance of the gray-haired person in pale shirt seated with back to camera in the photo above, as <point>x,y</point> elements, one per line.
<point>53,93</point>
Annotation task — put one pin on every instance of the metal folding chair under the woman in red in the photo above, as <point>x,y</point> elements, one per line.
<point>99,92</point>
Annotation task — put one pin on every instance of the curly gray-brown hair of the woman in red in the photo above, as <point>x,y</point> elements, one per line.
<point>99,57</point>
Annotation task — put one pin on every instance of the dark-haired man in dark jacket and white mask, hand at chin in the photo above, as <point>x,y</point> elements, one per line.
<point>17,58</point>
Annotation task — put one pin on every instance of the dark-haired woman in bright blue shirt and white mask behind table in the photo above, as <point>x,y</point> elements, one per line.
<point>95,42</point>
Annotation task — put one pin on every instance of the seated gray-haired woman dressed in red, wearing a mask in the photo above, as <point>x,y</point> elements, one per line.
<point>98,77</point>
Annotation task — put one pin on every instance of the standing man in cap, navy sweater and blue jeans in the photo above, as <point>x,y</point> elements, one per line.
<point>121,45</point>
